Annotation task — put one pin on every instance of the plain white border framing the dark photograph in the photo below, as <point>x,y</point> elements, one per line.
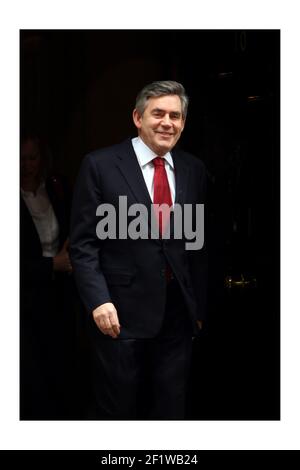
<point>149,435</point>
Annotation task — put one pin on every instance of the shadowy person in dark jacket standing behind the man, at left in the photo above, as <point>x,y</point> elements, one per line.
<point>47,321</point>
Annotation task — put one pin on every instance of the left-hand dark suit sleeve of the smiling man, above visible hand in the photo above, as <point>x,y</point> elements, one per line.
<point>84,245</point>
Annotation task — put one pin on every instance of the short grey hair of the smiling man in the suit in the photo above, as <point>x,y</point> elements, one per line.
<point>161,88</point>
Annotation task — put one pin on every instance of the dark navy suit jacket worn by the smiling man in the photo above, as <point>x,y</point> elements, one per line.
<point>131,273</point>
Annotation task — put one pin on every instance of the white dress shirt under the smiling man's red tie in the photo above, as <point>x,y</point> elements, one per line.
<point>145,156</point>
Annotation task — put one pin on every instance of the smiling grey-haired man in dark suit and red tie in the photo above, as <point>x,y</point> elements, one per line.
<point>144,293</point>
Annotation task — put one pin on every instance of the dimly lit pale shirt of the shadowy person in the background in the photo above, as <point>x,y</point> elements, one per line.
<point>44,219</point>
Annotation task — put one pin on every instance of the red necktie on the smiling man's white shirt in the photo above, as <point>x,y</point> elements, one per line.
<point>162,193</point>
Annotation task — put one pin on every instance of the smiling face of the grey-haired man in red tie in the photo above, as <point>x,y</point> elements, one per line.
<point>161,124</point>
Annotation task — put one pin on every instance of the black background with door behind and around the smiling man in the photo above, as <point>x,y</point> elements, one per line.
<point>78,90</point>
